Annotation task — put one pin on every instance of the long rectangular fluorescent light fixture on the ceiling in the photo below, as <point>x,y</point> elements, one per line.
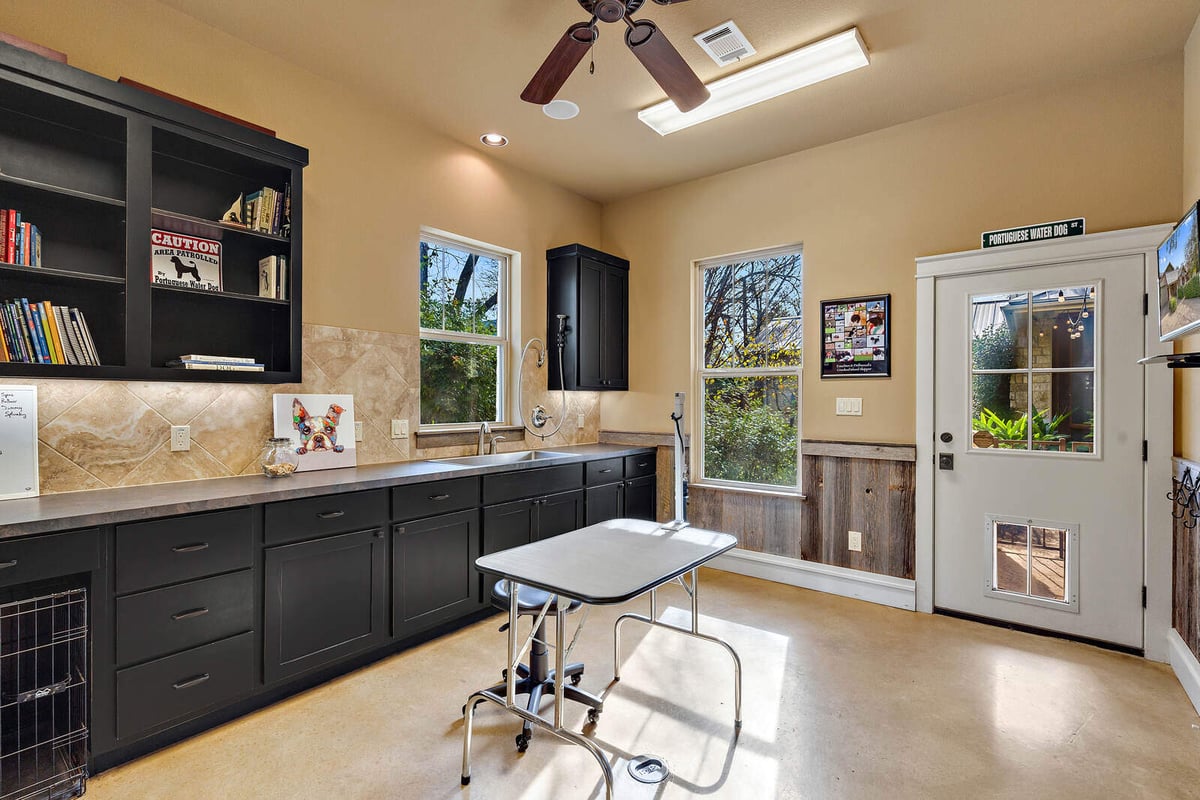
<point>803,68</point>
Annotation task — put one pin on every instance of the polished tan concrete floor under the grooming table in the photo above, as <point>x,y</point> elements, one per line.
<point>843,700</point>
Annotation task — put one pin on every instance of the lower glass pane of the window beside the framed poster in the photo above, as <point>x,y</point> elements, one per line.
<point>751,430</point>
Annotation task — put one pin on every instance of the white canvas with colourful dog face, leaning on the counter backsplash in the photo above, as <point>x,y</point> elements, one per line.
<point>321,429</point>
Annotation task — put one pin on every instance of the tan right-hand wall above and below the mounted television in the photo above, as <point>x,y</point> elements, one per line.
<point>1187,382</point>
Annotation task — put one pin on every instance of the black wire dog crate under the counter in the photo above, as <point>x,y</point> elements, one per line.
<point>44,697</point>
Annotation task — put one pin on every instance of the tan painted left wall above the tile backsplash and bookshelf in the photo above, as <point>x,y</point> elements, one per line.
<point>375,177</point>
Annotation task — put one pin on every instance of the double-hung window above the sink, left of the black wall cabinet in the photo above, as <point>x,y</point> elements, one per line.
<point>464,330</point>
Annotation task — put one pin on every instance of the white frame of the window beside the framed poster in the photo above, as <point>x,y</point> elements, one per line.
<point>703,374</point>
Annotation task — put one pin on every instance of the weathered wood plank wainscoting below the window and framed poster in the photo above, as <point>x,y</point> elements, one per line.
<point>848,486</point>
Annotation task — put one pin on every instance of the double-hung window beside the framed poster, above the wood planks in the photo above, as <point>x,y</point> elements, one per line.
<point>751,357</point>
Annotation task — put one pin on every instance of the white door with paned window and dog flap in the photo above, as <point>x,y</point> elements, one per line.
<point>1039,520</point>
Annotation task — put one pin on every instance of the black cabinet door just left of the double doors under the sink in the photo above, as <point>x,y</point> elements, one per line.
<point>434,572</point>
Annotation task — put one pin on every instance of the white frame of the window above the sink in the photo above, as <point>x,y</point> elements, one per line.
<point>508,261</point>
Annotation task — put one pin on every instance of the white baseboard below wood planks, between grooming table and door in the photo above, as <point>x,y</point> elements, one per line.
<point>886,591</point>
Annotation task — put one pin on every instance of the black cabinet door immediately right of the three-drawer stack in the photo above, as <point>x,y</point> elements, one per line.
<point>323,601</point>
